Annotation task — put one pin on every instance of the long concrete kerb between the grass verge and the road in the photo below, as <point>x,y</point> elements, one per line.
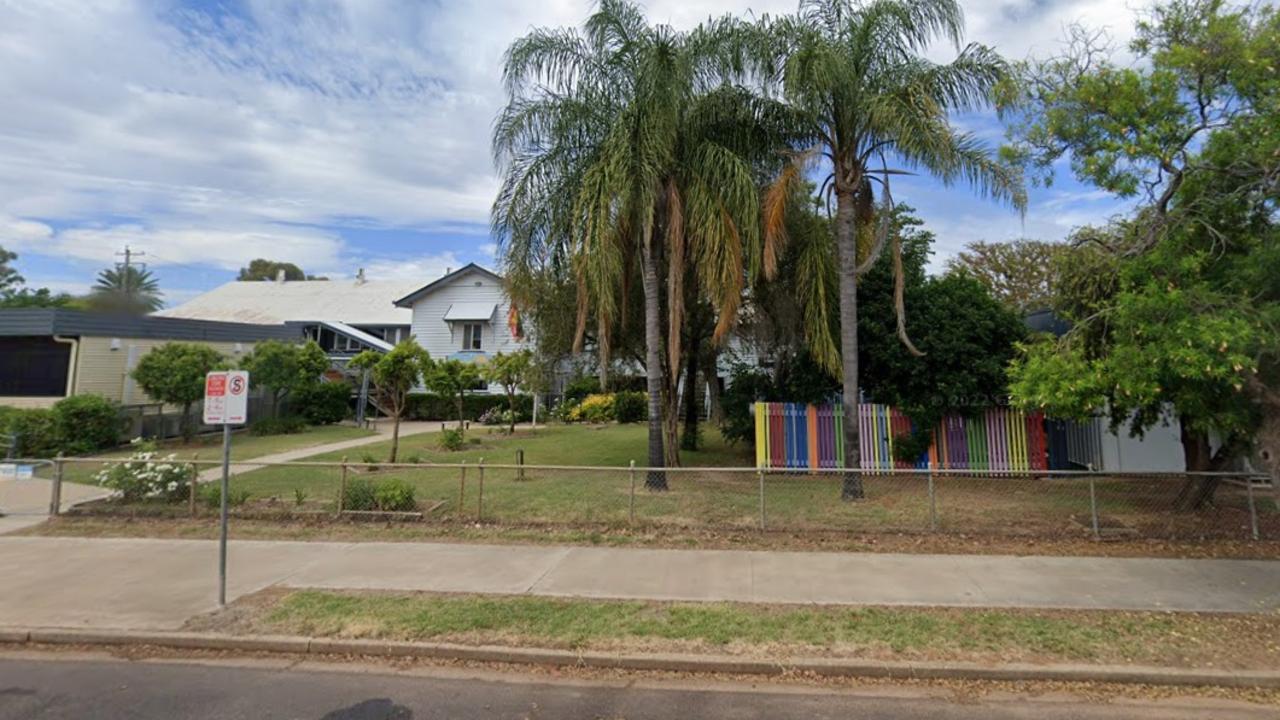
<point>678,663</point>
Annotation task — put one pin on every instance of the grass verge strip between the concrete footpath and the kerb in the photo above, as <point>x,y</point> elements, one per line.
<point>894,634</point>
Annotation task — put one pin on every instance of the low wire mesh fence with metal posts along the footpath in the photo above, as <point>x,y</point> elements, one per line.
<point>1041,504</point>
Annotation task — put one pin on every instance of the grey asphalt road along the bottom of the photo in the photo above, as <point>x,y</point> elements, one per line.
<point>57,687</point>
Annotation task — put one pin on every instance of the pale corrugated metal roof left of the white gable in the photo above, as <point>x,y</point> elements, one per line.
<point>263,302</point>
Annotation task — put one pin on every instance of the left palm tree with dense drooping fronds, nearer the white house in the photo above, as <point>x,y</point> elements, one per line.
<point>621,149</point>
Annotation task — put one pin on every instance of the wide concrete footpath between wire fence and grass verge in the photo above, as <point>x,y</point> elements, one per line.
<point>161,584</point>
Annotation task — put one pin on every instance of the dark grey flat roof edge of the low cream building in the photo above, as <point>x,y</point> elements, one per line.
<point>51,322</point>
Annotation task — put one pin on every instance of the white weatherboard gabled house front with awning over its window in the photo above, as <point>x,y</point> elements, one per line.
<point>464,316</point>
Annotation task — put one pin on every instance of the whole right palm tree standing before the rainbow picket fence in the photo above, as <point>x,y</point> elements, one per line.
<point>853,75</point>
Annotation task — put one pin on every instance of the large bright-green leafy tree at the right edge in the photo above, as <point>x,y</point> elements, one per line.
<point>1177,308</point>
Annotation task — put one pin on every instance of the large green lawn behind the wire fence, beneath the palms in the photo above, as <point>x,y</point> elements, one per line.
<point>701,499</point>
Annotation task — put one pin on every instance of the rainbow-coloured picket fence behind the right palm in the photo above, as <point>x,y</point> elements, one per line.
<point>794,436</point>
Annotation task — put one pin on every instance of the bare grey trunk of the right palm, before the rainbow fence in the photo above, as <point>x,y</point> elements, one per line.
<point>847,248</point>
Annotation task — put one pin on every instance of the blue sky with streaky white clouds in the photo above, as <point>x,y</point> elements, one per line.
<point>346,134</point>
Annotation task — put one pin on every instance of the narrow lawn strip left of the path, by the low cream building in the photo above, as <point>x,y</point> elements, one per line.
<point>209,448</point>
